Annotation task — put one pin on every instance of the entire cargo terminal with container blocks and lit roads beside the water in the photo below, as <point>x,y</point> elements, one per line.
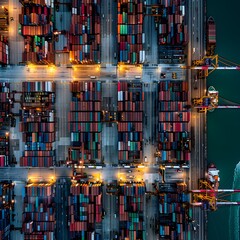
<point>99,134</point>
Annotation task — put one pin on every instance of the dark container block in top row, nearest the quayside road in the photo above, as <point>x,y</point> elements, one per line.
<point>172,31</point>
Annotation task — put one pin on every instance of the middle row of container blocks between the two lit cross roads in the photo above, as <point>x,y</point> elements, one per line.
<point>37,121</point>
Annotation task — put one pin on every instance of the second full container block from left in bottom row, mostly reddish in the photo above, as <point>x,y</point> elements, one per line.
<point>85,210</point>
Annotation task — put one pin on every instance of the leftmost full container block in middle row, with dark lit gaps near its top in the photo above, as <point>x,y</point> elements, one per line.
<point>38,123</point>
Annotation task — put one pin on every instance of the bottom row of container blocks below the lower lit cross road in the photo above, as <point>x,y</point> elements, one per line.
<point>85,211</point>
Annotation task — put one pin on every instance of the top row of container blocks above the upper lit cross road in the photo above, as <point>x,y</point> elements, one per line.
<point>84,35</point>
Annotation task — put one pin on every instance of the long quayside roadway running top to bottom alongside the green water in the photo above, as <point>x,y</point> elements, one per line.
<point>196,52</point>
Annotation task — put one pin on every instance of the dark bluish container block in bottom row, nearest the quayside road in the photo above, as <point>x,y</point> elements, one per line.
<point>173,222</point>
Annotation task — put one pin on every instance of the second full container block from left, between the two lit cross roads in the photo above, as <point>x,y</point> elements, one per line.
<point>85,120</point>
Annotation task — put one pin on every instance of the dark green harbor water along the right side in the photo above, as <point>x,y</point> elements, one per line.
<point>223,134</point>
